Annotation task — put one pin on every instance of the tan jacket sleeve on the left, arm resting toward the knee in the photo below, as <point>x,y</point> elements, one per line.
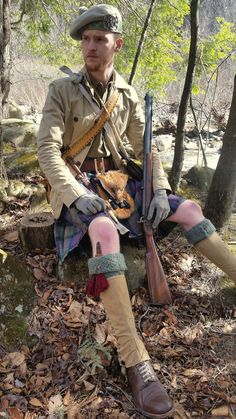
<point>50,142</point>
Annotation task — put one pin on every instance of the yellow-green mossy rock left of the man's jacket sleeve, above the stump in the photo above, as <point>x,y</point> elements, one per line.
<point>23,161</point>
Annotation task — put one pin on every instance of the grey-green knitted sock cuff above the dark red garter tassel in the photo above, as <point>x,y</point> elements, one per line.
<point>110,265</point>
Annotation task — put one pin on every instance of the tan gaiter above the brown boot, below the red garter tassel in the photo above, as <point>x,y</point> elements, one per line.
<point>118,308</point>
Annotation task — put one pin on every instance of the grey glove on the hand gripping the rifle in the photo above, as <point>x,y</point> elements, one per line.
<point>159,208</point>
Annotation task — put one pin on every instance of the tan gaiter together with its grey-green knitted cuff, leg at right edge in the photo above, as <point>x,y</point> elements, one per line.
<point>204,237</point>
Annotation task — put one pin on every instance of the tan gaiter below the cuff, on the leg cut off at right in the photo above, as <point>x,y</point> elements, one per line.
<point>217,252</point>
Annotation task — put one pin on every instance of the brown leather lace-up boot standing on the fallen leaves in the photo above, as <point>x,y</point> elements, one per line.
<point>150,398</point>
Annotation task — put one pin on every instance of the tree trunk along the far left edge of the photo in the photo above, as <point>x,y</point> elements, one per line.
<point>5,63</point>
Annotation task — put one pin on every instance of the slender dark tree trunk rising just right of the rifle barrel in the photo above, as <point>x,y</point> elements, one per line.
<point>179,140</point>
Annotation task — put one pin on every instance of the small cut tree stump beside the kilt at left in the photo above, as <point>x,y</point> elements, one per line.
<point>36,231</point>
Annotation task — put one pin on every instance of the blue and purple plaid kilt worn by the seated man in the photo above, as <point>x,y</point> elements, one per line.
<point>72,225</point>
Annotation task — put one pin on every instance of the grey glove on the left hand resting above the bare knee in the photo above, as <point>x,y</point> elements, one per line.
<point>90,204</point>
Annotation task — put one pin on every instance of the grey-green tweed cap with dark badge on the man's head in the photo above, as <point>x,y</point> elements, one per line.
<point>102,17</point>
